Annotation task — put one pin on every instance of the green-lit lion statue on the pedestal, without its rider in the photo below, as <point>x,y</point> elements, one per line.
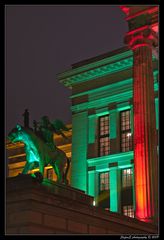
<point>39,154</point>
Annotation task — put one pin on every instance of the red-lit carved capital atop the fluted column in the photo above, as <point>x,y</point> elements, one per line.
<point>143,36</point>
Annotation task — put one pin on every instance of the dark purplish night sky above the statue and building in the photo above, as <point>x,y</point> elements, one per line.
<point>42,41</point>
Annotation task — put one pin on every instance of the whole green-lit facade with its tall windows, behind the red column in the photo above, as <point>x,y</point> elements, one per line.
<point>102,128</point>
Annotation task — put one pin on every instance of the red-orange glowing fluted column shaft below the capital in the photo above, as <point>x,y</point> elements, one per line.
<point>144,201</point>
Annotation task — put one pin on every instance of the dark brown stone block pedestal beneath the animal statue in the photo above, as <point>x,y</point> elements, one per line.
<point>52,208</point>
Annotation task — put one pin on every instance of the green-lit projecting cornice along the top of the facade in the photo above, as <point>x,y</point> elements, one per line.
<point>97,69</point>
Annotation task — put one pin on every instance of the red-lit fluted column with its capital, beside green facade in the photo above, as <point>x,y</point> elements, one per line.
<point>141,42</point>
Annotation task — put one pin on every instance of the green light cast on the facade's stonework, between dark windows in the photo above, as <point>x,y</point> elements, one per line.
<point>85,127</point>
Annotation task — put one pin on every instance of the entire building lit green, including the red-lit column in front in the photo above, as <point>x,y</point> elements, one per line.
<point>115,121</point>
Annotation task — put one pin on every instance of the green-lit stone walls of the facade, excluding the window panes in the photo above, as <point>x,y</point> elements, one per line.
<point>108,93</point>
